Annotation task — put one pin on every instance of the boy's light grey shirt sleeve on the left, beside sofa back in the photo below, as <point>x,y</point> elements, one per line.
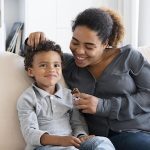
<point>28,119</point>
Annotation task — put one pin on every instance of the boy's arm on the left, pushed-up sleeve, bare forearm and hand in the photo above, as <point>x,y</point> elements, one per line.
<point>27,113</point>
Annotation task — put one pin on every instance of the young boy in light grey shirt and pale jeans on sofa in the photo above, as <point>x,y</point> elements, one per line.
<point>47,117</point>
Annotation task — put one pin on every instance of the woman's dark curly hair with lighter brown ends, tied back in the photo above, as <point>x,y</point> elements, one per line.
<point>106,22</point>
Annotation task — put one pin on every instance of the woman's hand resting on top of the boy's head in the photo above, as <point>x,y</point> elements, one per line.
<point>35,38</point>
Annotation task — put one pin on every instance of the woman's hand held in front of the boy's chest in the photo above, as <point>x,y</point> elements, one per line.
<point>86,103</point>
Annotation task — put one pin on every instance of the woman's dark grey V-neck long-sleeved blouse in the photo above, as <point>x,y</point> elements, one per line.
<point>123,90</point>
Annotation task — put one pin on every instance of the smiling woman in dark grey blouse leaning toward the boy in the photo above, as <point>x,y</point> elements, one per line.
<point>114,82</point>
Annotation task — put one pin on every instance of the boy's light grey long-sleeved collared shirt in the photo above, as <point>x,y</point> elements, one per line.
<point>40,112</point>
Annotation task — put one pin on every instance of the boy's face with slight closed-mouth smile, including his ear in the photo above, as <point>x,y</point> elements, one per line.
<point>46,69</point>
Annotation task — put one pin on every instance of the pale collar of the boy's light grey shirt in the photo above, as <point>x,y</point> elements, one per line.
<point>58,93</point>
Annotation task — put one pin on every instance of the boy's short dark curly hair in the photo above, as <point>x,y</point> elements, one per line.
<point>43,46</point>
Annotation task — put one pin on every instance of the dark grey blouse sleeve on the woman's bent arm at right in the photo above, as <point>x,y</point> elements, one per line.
<point>130,105</point>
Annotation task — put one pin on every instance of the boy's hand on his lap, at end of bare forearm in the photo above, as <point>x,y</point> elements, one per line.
<point>70,141</point>
